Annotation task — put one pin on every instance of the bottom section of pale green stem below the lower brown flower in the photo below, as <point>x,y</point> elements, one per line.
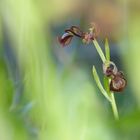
<point>114,106</point>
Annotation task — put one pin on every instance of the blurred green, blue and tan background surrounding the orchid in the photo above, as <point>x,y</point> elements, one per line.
<point>48,92</point>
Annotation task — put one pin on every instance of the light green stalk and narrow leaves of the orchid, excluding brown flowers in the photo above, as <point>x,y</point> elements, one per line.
<point>104,59</point>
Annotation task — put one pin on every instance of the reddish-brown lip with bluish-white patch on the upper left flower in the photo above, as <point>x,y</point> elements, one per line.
<point>65,39</point>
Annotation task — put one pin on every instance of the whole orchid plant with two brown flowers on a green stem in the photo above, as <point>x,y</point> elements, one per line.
<point>114,80</point>
